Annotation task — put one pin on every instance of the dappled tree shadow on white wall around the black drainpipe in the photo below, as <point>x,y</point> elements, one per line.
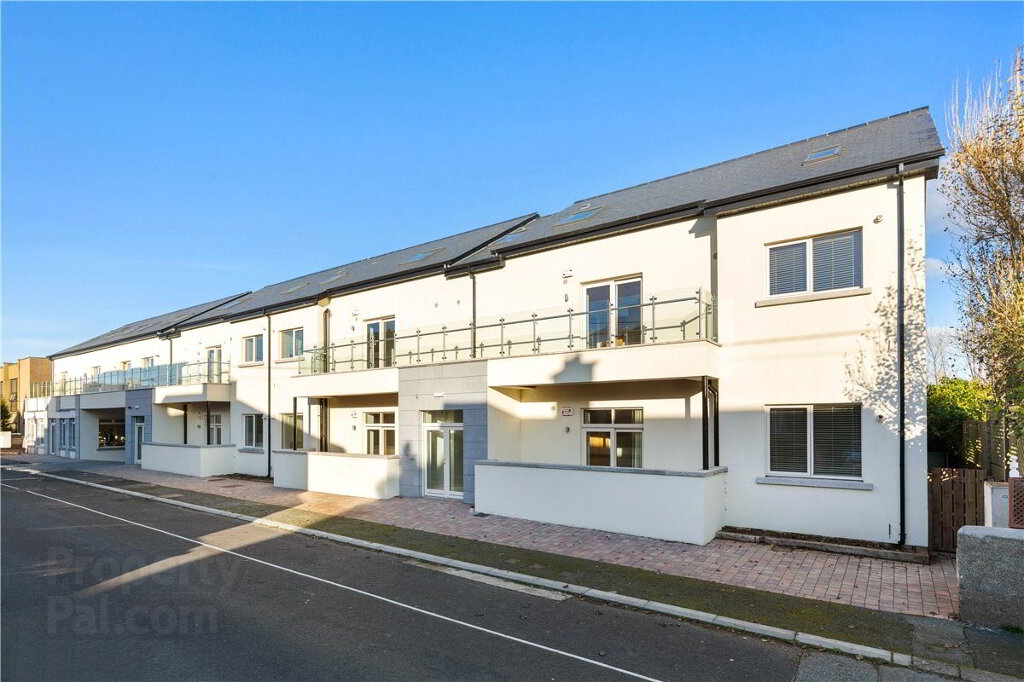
<point>873,373</point>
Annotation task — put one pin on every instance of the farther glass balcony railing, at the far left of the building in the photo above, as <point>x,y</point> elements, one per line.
<point>145,377</point>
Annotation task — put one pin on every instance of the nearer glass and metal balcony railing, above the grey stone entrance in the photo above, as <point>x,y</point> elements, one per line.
<point>671,318</point>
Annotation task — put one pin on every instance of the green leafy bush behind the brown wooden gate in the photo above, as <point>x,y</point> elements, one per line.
<point>951,403</point>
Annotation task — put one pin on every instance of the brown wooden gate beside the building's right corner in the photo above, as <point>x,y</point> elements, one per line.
<point>956,498</point>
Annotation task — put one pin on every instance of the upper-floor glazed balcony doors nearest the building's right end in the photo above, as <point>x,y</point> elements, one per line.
<point>615,314</point>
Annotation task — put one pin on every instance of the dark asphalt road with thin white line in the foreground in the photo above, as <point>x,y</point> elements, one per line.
<point>132,593</point>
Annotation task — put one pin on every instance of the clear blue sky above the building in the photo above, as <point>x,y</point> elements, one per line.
<point>156,156</point>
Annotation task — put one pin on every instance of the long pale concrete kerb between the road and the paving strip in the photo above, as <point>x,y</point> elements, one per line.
<point>758,629</point>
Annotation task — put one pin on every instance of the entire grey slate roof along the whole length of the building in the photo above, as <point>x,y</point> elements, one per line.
<point>909,137</point>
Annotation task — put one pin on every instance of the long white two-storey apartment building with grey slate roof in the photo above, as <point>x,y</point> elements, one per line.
<point>716,349</point>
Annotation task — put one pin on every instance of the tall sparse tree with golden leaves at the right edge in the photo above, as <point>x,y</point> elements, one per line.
<point>984,183</point>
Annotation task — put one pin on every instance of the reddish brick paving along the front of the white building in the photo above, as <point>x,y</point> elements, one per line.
<point>879,584</point>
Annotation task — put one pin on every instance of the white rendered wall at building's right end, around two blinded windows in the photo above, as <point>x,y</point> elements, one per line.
<point>839,351</point>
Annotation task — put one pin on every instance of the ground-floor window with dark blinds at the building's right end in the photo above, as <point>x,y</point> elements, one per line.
<point>816,441</point>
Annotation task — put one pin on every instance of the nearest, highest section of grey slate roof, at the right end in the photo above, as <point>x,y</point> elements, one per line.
<point>905,137</point>
